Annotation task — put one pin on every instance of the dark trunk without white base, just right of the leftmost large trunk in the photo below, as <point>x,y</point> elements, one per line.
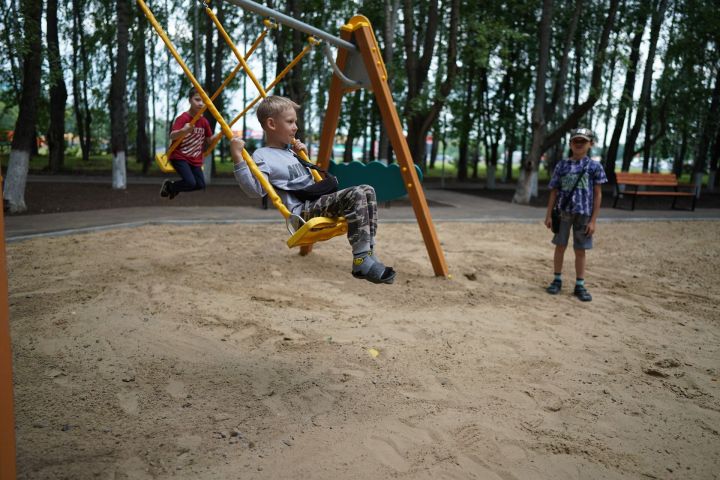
<point>58,92</point>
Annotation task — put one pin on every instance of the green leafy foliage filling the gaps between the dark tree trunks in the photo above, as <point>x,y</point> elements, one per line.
<point>490,100</point>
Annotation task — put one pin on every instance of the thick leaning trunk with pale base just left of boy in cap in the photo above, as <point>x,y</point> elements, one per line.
<point>523,191</point>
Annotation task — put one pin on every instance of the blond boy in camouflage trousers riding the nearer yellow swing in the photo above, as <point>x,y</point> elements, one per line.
<point>278,161</point>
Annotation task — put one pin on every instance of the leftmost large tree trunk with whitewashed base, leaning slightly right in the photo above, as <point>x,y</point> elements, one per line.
<point>24,136</point>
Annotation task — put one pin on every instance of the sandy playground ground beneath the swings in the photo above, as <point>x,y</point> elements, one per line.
<point>243,360</point>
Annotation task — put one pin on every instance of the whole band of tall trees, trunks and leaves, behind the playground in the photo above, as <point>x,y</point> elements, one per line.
<point>494,80</point>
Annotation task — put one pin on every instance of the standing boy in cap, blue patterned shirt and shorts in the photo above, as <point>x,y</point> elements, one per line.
<point>576,186</point>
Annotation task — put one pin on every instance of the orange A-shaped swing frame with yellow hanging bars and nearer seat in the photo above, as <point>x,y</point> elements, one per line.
<point>358,57</point>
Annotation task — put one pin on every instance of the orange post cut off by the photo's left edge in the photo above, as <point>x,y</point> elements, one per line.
<point>7,418</point>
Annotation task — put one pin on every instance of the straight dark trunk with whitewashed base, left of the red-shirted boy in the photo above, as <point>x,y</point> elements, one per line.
<point>118,99</point>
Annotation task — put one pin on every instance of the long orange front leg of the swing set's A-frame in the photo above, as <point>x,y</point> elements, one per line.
<point>365,40</point>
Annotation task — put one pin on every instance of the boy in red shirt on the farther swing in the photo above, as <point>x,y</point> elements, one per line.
<point>187,158</point>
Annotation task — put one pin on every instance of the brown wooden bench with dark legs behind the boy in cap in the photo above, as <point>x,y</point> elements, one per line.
<point>659,184</point>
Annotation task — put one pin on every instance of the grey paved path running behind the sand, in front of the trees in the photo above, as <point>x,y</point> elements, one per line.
<point>447,206</point>
